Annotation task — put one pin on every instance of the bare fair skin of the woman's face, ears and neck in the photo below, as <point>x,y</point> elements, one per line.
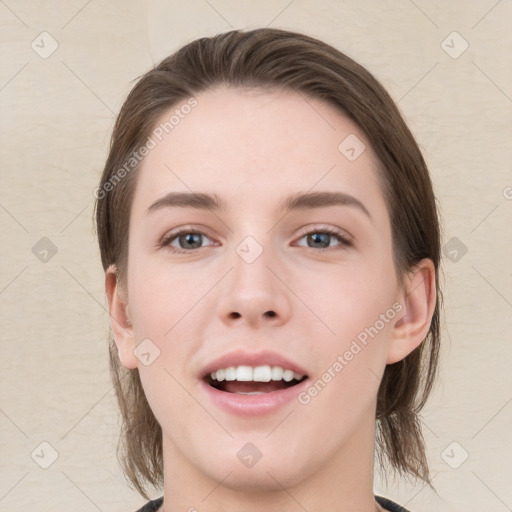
<point>253,148</point>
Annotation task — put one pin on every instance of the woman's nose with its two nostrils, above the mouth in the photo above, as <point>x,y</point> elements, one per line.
<point>254,293</point>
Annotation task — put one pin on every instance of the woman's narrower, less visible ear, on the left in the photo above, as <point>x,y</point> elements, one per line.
<point>120,322</point>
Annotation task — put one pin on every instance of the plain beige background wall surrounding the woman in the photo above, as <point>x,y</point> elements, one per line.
<point>56,116</point>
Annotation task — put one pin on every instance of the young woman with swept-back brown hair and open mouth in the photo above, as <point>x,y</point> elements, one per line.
<point>271,246</point>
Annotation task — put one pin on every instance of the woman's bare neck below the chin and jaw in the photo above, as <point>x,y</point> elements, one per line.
<point>343,482</point>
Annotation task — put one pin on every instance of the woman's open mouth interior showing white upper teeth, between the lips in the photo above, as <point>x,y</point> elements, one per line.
<point>249,380</point>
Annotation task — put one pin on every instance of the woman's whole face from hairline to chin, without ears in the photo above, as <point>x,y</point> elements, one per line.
<point>252,291</point>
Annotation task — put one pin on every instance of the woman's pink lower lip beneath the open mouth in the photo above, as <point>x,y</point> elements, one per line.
<point>254,405</point>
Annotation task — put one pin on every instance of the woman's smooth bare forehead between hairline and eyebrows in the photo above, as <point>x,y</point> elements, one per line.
<point>252,144</point>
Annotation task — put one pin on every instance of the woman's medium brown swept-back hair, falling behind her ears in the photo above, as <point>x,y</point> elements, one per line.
<point>276,59</point>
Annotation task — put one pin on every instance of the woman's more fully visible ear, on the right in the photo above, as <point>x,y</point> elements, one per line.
<point>419,299</point>
